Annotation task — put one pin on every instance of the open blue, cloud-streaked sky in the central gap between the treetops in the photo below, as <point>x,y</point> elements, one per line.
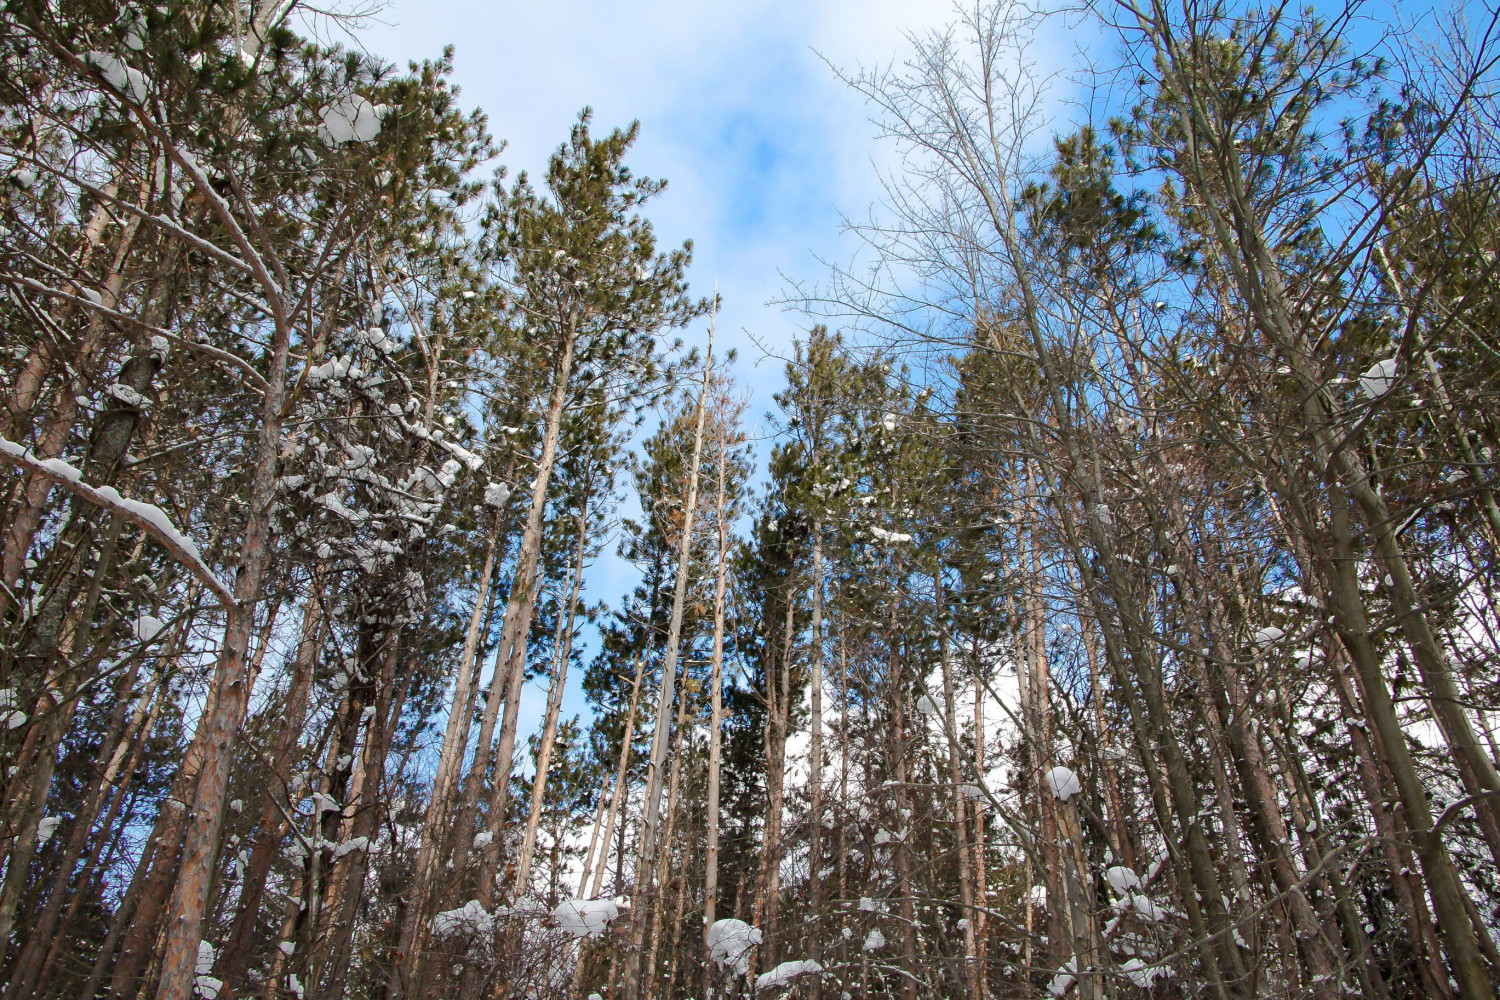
<point>766,149</point>
